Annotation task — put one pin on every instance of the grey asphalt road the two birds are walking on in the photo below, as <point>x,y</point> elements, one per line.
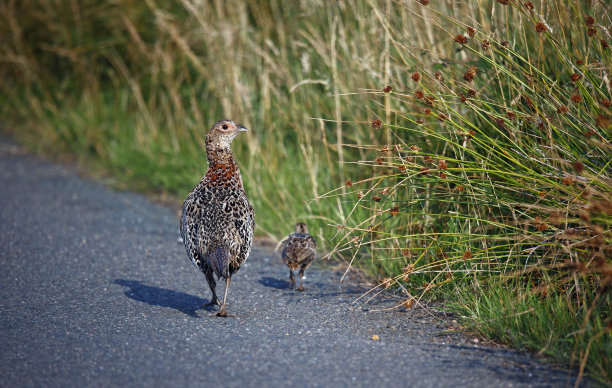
<point>96,290</point>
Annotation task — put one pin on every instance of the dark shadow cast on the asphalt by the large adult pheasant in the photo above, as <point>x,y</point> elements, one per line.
<point>156,296</point>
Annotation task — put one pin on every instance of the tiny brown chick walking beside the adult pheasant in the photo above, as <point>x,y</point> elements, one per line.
<point>299,251</point>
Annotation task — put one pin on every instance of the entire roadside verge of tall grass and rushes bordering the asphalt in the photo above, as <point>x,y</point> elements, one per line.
<point>463,157</point>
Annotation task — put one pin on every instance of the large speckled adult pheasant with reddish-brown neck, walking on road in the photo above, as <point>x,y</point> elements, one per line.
<point>217,220</point>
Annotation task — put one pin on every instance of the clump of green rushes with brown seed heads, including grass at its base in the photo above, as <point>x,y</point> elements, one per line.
<point>519,201</point>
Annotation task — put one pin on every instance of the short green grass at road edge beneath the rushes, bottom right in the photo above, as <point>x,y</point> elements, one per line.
<point>549,326</point>
